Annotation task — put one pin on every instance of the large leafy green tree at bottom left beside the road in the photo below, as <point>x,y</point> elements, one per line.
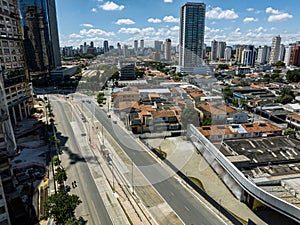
<point>61,207</point>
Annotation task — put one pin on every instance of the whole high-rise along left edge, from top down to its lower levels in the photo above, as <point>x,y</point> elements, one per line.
<point>15,93</point>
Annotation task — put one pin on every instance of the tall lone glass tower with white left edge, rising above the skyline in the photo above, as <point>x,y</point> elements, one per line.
<point>191,36</point>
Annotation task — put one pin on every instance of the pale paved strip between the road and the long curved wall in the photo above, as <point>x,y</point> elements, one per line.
<point>184,156</point>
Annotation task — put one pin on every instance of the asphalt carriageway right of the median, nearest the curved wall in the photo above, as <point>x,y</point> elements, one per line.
<point>183,202</point>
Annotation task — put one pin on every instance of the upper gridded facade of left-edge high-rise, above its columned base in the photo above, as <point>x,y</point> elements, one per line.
<point>12,62</point>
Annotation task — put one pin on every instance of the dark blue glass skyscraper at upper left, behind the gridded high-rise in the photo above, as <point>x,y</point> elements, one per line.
<point>40,36</point>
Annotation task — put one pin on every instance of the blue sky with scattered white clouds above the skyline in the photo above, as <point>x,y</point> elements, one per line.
<point>234,21</point>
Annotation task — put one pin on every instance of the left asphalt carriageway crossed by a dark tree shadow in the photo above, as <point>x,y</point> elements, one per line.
<point>92,208</point>
